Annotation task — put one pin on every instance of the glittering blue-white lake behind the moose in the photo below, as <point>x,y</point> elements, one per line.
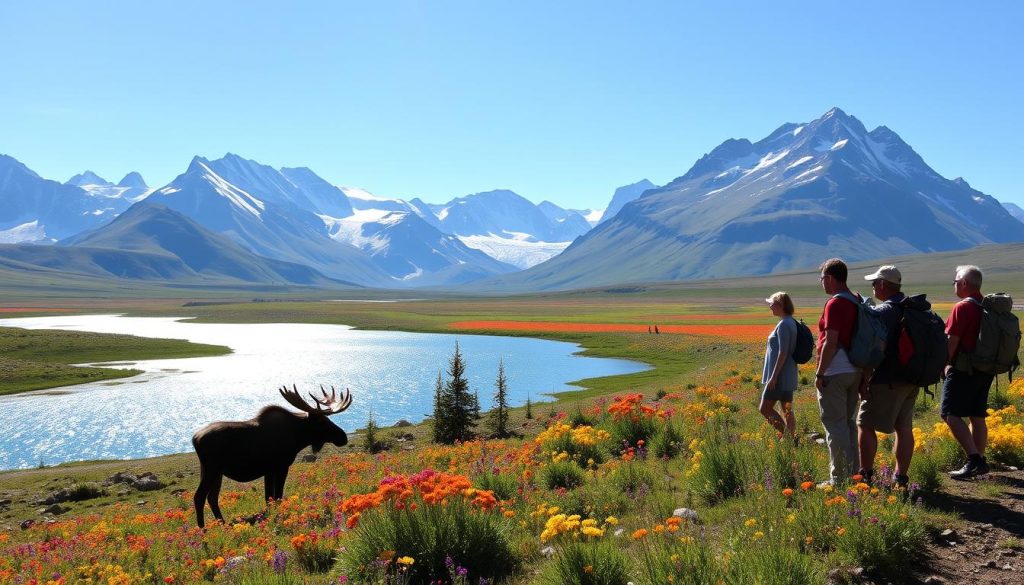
<point>392,374</point>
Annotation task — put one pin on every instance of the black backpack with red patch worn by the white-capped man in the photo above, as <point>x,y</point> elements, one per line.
<point>923,344</point>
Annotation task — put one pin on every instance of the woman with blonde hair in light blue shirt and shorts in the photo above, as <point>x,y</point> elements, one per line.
<point>780,377</point>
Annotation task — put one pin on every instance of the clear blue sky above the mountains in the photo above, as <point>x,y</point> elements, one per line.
<point>558,101</point>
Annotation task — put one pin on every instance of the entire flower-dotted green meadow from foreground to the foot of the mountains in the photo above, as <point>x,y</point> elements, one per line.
<point>669,476</point>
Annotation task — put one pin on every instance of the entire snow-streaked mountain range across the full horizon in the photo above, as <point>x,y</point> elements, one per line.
<point>804,193</point>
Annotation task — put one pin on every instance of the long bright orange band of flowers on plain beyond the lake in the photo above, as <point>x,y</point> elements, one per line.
<point>737,332</point>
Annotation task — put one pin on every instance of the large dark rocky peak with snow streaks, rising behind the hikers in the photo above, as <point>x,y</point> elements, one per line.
<point>805,193</point>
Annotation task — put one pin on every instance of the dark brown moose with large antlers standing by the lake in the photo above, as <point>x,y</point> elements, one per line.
<point>265,446</point>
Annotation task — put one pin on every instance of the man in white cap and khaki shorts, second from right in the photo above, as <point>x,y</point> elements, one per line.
<point>889,399</point>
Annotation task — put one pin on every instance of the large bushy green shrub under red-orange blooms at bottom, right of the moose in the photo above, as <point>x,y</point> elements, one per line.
<point>436,536</point>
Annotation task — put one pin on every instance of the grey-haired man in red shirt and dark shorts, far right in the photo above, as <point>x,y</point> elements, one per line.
<point>965,392</point>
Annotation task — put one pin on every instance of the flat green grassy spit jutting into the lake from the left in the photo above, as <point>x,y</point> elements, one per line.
<point>34,360</point>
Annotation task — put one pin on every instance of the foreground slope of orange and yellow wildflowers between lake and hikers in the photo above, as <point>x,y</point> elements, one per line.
<point>665,478</point>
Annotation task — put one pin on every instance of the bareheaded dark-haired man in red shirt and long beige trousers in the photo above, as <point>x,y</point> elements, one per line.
<point>837,381</point>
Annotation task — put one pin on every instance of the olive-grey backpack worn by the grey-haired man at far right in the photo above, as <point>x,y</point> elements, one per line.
<point>1000,338</point>
